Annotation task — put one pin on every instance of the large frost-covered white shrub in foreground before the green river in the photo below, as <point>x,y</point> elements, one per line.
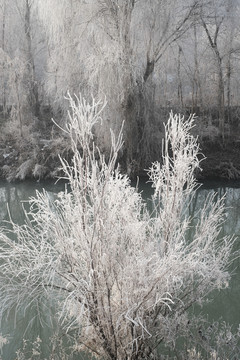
<point>123,277</point>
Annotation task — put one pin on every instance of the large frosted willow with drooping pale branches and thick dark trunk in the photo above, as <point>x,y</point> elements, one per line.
<point>112,48</point>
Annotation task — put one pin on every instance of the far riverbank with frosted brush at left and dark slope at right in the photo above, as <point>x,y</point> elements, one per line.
<point>33,153</point>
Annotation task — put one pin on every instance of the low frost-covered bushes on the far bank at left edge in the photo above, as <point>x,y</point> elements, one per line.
<point>32,152</point>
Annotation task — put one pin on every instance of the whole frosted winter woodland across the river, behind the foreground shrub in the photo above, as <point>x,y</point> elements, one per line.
<point>144,57</point>
